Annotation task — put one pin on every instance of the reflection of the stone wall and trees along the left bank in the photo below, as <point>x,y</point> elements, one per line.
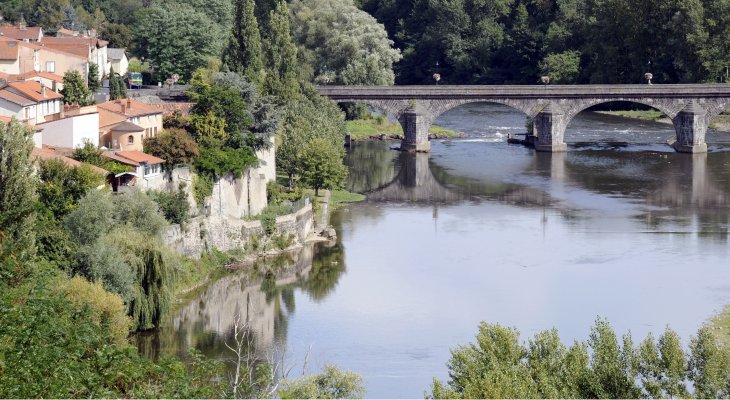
<point>264,300</point>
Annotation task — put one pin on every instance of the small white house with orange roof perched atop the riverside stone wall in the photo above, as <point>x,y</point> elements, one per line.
<point>147,173</point>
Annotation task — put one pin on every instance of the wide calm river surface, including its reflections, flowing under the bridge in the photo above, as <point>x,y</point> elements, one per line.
<point>620,227</point>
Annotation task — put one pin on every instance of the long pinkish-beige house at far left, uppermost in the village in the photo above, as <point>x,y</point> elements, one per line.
<point>17,57</point>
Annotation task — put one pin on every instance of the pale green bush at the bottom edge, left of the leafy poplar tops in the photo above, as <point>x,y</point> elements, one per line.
<point>332,383</point>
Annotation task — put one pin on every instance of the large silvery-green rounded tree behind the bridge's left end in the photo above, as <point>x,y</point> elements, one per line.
<point>342,44</point>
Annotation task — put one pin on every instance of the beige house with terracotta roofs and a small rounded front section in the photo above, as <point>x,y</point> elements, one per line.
<point>125,123</point>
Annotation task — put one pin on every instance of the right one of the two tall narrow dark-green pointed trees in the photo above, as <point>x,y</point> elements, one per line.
<point>281,57</point>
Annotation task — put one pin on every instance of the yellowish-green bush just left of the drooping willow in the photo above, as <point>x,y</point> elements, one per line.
<point>106,309</point>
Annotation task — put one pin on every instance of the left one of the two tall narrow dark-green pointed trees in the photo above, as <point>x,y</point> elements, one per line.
<point>243,54</point>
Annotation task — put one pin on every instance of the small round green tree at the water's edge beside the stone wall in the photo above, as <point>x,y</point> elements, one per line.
<point>321,165</point>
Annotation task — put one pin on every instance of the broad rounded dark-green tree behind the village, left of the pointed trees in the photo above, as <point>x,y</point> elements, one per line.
<point>177,39</point>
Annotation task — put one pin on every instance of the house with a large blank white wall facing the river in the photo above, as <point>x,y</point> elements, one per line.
<point>72,128</point>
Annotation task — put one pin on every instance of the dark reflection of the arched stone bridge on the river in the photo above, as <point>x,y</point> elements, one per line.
<point>685,181</point>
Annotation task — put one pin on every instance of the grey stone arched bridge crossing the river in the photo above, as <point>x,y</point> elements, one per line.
<point>552,107</point>
